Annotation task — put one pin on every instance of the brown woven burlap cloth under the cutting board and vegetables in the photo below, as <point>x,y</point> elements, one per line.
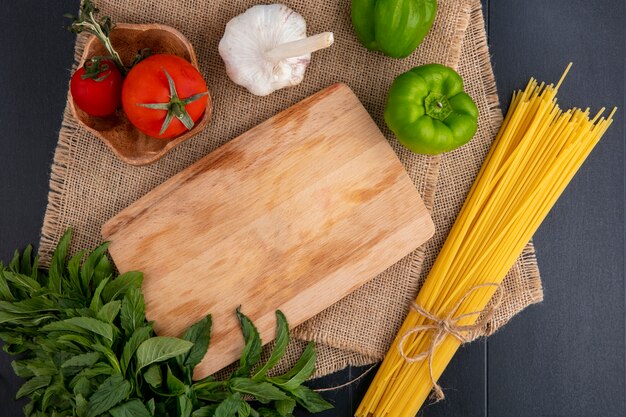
<point>89,185</point>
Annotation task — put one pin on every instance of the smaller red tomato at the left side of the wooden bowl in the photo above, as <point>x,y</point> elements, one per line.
<point>97,87</point>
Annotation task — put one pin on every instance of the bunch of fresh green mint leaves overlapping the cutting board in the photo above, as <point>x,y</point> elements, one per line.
<point>87,350</point>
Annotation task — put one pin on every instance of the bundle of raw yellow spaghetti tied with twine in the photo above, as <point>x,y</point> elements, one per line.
<point>537,151</point>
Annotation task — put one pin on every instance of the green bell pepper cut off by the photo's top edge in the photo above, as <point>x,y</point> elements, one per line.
<point>394,27</point>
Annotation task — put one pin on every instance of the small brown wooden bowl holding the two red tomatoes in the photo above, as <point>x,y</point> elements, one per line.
<point>127,143</point>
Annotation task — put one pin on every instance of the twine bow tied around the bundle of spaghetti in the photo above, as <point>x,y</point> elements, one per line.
<point>448,325</point>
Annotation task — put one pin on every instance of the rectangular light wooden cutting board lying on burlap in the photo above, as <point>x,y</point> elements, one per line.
<point>292,215</point>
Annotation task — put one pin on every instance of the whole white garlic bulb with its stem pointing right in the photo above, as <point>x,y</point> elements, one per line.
<point>266,48</point>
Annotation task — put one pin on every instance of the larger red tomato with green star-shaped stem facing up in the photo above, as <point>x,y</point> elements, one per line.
<point>164,96</point>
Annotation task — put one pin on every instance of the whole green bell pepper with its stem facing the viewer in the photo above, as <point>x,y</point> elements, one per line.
<point>428,110</point>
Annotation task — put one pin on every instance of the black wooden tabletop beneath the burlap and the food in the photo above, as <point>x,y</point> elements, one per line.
<point>565,357</point>
